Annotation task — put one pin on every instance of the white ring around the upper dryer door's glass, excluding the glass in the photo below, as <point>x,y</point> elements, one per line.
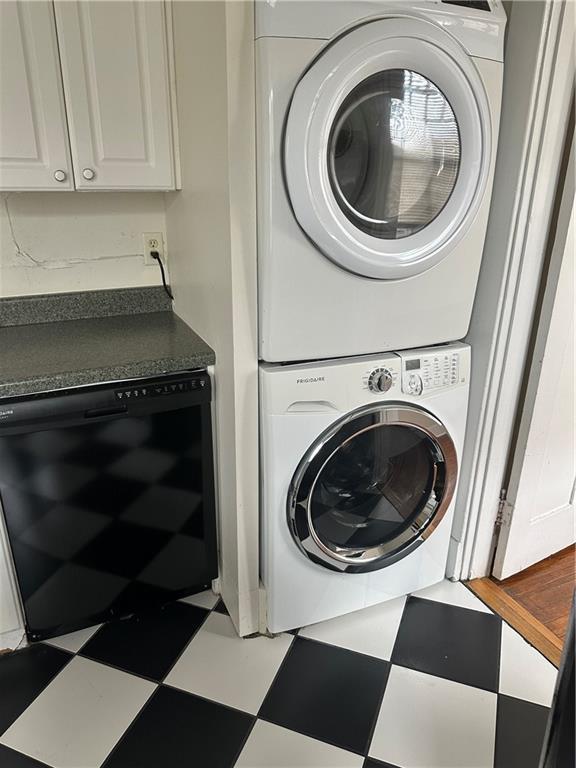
<point>392,44</point>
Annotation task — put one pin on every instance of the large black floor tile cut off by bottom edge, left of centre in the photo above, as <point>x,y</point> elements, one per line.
<point>179,730</point>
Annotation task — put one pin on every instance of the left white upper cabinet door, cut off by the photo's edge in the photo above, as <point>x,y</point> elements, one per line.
<point>34,150</point>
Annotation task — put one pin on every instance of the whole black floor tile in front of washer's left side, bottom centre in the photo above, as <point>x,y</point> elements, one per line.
<point>327,692</point>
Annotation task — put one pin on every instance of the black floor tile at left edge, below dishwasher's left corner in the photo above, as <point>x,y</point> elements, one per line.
<point>23,676</point>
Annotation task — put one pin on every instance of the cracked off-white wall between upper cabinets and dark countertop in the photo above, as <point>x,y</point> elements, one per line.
<point>54,242</point>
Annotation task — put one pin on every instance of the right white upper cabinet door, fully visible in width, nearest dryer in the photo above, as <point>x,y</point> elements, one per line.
<point>116,80</point>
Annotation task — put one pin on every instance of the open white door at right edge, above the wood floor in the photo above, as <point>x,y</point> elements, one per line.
<point>525,536</point>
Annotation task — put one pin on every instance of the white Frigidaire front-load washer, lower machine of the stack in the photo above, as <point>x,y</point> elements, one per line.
<point>359,467</point>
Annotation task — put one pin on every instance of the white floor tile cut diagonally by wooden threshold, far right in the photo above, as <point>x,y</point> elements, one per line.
<point>525,673</point>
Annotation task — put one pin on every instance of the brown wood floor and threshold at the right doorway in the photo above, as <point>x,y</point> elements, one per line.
<point>537,601</point>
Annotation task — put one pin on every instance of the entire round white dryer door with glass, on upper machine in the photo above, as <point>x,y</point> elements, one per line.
<point>387,148</point>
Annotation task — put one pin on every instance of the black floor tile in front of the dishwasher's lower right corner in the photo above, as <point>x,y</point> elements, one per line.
<point>146,644</point>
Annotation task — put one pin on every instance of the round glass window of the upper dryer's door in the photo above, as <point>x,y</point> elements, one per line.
<point>393,154</point>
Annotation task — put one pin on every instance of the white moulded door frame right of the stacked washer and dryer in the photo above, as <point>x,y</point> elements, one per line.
<point>537,101</point>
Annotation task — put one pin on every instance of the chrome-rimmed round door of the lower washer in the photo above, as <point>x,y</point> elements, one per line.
<point>372,488</point>
